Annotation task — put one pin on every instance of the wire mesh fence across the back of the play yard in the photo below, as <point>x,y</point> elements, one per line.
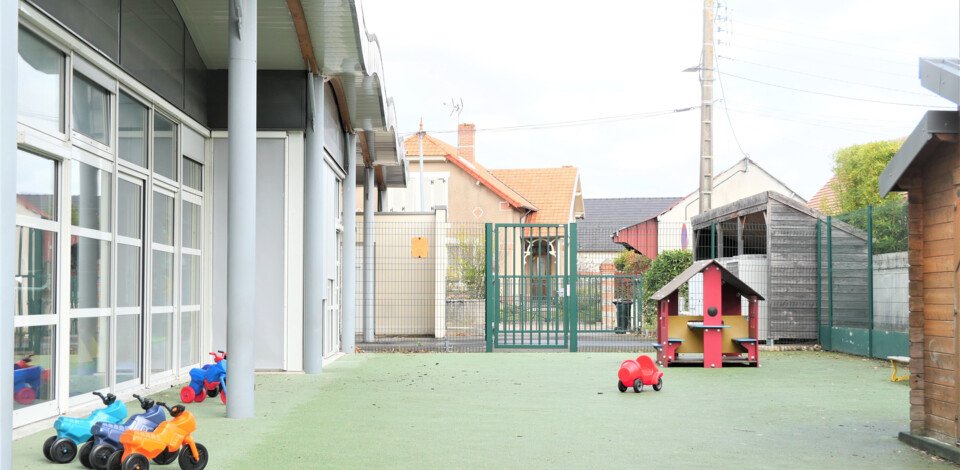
<point>820,280</point>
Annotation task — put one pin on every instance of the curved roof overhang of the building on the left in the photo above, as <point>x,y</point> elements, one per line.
<point>327,35</point>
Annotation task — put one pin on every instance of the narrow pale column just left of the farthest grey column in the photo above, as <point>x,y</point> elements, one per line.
<point>349,300</point>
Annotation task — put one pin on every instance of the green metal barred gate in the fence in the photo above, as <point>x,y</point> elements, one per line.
<point>531,274</point>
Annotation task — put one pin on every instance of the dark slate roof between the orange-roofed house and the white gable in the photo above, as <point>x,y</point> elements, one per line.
<point>605,216</point>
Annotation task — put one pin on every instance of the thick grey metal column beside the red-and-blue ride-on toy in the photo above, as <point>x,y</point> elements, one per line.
<point>242,202</point>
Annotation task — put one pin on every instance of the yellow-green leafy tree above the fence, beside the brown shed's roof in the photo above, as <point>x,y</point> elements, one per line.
<point>858,169</point>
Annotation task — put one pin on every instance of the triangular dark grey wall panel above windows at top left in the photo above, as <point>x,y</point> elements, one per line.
<point>95,21</point>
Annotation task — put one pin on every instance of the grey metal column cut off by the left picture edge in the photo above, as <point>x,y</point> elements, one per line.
<point>8,210</point>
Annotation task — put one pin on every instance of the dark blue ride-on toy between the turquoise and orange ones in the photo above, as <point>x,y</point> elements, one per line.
<point>106,436</point>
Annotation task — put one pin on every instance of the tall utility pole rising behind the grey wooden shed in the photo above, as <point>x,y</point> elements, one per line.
<point>706,110</point>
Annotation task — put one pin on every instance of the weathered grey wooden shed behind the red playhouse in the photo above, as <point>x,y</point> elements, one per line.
<point>770,241</point>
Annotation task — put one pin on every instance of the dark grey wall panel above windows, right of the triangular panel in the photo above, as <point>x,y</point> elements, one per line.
<point>152,46</point>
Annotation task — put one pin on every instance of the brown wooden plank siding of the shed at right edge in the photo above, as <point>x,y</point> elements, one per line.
<point>932,226</point>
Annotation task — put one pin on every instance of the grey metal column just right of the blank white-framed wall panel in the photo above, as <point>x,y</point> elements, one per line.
<point>315,234</point>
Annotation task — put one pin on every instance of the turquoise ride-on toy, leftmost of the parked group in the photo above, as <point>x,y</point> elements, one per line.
<point>71,432</point>
